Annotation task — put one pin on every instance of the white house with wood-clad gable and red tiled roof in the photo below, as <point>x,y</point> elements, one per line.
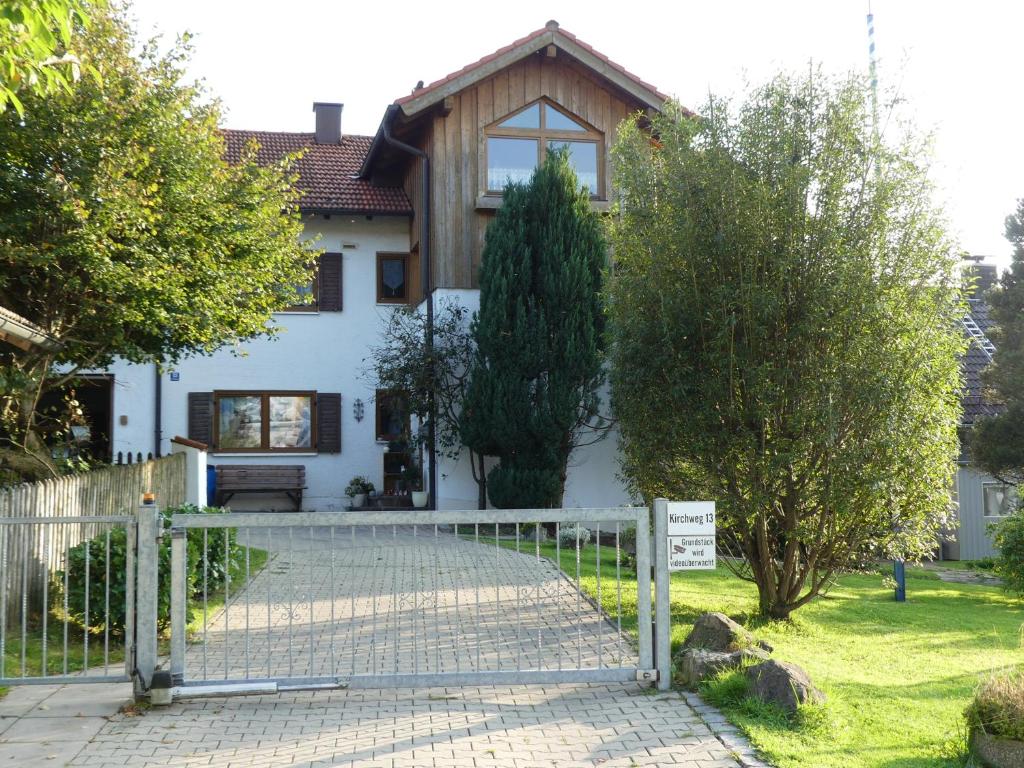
<point>306,398</point>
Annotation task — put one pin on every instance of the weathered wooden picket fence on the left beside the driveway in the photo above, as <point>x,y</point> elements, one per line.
<point>32,553</point>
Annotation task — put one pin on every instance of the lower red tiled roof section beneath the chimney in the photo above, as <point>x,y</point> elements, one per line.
<point>327,173</point>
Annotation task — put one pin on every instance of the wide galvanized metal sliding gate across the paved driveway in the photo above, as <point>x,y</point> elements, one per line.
<point>403,600</point>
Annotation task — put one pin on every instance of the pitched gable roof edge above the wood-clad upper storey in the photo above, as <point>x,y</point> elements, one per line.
<point>550,34</point>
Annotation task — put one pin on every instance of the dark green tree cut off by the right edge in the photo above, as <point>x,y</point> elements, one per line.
<point>998,443</point>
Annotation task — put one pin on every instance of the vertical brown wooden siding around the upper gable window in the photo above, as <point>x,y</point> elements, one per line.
<point>456,145</point>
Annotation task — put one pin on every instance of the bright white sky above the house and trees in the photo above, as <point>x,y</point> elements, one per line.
<point>956,66</point>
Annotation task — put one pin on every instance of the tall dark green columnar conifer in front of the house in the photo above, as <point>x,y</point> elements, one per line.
<point>533,392</point>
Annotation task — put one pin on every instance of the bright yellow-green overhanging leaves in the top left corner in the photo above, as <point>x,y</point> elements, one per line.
<point>37,47</point>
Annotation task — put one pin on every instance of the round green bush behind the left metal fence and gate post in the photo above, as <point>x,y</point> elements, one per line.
<point>223,553</point>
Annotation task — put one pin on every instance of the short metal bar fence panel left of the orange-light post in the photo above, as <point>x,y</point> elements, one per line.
<point>67,600</point>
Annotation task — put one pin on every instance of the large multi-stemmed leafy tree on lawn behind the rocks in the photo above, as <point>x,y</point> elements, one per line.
<point>784,332</point>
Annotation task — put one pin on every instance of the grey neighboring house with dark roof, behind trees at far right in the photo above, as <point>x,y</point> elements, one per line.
<point>983,499</point>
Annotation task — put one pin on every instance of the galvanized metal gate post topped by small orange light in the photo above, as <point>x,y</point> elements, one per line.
<point>148,563</point>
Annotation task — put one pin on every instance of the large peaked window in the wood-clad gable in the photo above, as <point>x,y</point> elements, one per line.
<point>518,144</point>
